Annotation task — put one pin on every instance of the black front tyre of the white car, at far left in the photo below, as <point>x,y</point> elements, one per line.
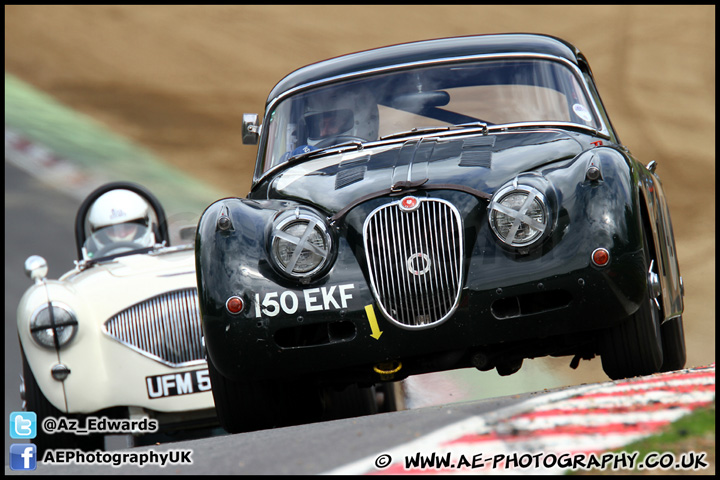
<point>35,401</point>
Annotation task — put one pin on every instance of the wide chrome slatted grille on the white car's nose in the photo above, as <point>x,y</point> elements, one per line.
<point>165,328</point>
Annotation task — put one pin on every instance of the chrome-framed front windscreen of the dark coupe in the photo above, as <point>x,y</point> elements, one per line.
<point>496,92</point>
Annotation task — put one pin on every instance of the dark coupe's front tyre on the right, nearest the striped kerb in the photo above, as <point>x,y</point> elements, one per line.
<point>634,347</point>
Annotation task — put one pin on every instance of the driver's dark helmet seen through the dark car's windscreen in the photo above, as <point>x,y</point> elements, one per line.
<point>341,111</point>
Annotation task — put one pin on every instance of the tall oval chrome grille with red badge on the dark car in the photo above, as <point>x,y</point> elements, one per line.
<point>414,251</point>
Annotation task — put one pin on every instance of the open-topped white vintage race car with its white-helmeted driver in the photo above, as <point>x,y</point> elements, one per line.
<point>118,337</point>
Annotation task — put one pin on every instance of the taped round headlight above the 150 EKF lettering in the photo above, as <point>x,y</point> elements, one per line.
<point>300,244</point>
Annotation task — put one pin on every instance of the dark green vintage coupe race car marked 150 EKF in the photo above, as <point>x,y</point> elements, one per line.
<point>431,206</point>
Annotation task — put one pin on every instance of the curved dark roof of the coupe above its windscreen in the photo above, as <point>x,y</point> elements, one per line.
<point>426,50</point>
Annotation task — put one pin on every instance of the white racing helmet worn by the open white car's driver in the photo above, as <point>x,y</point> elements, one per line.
<point>121,213</point>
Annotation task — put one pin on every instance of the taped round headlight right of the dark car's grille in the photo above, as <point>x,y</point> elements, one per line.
<point>518,215</point>
